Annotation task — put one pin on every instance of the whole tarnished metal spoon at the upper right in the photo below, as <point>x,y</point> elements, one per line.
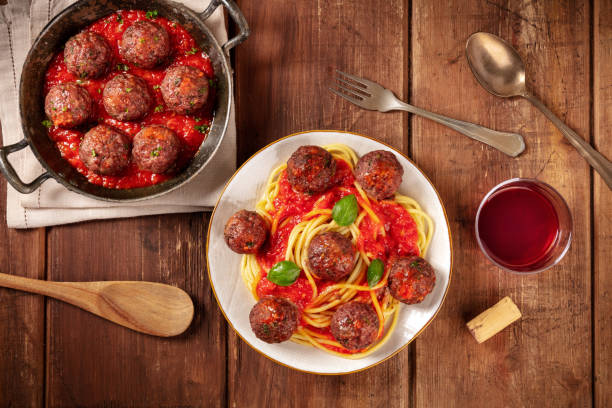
<point>500,70</point>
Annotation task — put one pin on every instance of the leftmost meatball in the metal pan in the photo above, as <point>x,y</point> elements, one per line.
<point>68,105</point>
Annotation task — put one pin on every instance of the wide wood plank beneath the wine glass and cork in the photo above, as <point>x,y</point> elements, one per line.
<point>547,354</point>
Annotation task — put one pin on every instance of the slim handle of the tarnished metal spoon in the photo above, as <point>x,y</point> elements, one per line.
<point>602,165</point>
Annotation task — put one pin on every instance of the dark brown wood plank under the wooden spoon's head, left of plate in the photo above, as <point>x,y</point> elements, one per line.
<point>92,362</point>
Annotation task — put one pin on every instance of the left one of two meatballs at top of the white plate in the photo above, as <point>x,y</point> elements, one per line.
<point>311,169</point>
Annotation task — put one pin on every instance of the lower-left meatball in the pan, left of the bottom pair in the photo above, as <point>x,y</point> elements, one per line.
<point>104,150</point>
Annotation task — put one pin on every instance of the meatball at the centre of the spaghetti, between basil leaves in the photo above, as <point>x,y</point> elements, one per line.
<point>331,256</point>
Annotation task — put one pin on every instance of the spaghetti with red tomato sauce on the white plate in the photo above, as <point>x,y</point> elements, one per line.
<point>382,230</point>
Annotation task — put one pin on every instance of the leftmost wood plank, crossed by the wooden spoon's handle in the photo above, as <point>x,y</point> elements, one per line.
<point>22,317</point>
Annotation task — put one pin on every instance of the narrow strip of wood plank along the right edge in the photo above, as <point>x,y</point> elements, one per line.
<point>602,204</point>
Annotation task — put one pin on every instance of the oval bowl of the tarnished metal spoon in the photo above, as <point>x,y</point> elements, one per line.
<point>496,65</point>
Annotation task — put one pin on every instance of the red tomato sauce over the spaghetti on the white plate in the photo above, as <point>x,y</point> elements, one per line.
<point>290,208</point>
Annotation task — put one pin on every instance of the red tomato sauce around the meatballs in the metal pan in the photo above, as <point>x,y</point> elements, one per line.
<point>191,129</point>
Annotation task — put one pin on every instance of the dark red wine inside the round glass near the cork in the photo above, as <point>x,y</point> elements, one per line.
<point>518,226</point>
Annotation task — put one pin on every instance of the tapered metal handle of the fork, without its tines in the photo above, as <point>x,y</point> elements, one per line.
<point>511,144</point>
